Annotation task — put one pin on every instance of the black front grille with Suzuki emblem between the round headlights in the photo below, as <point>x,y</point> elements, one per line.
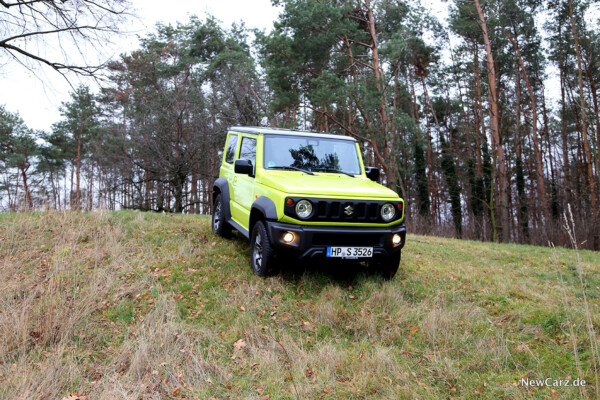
<point>330,210</point>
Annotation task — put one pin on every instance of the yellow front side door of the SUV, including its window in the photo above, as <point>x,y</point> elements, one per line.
<point>245,185</point>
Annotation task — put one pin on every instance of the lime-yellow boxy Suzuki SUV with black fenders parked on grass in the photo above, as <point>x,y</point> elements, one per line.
<point>306,195</point>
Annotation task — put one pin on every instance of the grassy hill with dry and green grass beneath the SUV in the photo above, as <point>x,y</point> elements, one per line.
<point>132,305</point>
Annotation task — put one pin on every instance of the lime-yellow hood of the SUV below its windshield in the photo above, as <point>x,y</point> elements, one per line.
<point>325,184</point>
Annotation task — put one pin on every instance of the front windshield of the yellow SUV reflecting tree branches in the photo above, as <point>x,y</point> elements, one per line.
<point>311,154</point>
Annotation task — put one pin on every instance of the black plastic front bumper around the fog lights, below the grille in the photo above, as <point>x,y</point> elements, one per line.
<point>312,241</point>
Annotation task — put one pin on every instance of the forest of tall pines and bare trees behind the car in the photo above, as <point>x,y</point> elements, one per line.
<point>485,121</point>
